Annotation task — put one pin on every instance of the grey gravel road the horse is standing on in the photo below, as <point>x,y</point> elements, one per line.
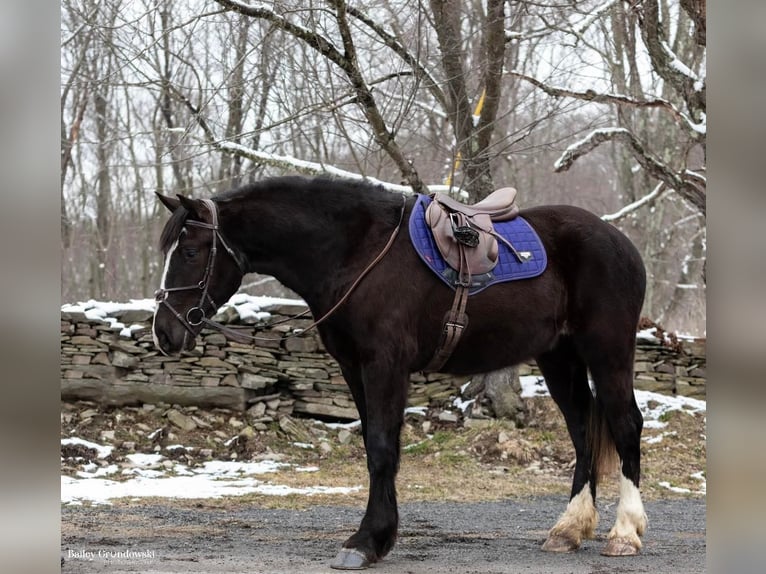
<point>465,538</point>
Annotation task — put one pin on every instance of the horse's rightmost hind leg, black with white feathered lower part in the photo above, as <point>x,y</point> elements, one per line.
<point>612,371</point>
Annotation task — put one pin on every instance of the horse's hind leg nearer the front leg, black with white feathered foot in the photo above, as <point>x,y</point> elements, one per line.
<point>567,379</point>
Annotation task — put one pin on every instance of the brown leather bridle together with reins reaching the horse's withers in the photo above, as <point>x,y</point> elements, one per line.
<point>189,321</point>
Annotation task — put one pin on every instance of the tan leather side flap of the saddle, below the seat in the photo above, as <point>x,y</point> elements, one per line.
<point>479,259</point>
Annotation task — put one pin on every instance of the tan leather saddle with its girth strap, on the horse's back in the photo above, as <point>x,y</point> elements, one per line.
<point>468,242</point>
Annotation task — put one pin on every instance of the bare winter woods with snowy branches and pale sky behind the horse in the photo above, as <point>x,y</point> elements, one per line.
<point>202,95</point>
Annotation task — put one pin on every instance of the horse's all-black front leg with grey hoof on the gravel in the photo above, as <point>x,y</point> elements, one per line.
<point>385,393</point>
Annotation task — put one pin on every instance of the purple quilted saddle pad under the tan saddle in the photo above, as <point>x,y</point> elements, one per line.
<point>517,231</point>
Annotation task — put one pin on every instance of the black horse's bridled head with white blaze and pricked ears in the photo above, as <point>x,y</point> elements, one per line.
<point>201,272</point>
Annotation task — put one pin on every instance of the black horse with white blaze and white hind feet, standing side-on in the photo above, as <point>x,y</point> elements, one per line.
<point>318,236</point>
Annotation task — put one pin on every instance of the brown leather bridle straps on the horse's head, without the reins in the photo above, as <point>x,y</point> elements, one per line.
<point>195,316</point>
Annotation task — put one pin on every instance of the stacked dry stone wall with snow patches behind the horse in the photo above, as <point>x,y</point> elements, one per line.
<point>106,362</point>
